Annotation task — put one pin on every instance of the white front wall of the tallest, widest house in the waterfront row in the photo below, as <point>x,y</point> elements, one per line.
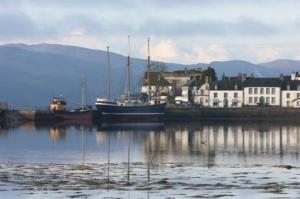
<point>252,98</point>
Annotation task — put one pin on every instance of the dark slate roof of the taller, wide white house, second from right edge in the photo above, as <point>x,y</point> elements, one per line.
<point>263,82</point>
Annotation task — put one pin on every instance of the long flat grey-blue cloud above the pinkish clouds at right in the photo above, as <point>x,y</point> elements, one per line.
<point>241,26</point>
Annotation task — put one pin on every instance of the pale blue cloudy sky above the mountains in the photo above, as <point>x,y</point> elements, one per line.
<point>180,31</point>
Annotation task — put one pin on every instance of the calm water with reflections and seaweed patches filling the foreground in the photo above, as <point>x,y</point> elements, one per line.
<point>174,160</point>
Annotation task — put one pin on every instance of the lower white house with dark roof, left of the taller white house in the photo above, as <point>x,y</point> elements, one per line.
<point>226,93</point>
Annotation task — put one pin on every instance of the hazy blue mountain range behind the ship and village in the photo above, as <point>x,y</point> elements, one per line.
<point>31,74</point>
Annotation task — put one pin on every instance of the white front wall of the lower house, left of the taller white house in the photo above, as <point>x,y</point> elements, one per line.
<point>213,99</point>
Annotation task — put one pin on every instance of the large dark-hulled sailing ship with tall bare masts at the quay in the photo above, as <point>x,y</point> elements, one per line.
<point>130,109</point>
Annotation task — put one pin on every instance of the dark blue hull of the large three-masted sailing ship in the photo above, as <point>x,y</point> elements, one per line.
<point>146,113</point>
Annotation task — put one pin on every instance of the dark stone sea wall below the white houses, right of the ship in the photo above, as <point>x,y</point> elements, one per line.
<point>244,113</point>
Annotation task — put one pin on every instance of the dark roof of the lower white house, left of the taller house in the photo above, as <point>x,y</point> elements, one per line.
<point>227,85</point>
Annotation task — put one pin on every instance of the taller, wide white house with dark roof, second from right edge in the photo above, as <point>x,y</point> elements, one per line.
<point>263,91</point>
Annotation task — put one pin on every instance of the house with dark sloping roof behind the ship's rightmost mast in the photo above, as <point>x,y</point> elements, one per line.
<point>158,84</point>
